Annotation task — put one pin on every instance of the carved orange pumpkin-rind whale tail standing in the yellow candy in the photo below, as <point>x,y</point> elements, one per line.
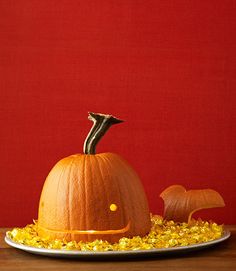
<point>179,204</point>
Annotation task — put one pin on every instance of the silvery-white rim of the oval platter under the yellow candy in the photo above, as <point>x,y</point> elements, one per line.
<point>131,253</point>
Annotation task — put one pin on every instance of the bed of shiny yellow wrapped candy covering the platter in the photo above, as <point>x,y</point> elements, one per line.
<point>163,234</point>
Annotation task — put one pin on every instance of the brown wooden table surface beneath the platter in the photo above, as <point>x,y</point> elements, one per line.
<point>219,257</point>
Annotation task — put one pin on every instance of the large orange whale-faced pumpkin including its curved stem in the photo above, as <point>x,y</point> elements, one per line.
<point>93,196</point>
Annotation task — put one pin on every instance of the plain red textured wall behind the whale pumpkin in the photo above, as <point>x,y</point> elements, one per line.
<point>166,67</point>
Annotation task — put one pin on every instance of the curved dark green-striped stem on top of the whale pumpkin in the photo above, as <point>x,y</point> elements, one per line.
<point>101,123</point>
